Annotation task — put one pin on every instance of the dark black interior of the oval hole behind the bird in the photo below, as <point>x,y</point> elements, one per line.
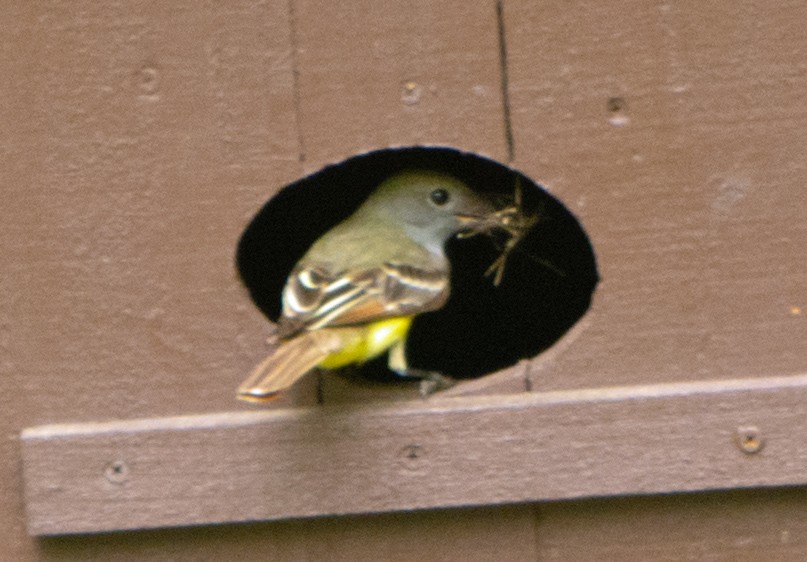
<point>547,285</point>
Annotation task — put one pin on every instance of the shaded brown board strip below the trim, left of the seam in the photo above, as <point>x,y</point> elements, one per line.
<point>478,534</point>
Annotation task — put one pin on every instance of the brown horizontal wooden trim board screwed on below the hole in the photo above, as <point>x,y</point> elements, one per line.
<point>447,451</point>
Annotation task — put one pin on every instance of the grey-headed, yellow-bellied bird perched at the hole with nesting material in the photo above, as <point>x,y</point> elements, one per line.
<point>354,294</point>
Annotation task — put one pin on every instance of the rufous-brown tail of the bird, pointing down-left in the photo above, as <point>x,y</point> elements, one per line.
<point>288,364</point>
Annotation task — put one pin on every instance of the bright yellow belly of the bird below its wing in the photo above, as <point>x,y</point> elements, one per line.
<point>368,342</point>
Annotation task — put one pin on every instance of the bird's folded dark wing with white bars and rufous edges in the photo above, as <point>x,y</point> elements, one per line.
<point>315,298</point>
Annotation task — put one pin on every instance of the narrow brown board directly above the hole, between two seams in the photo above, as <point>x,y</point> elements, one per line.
<point>372,75</point>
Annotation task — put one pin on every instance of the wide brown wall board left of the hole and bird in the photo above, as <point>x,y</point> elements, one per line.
<point>137,140</point>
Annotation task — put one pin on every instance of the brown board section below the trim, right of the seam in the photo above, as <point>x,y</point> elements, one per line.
<point>731,526</point>
